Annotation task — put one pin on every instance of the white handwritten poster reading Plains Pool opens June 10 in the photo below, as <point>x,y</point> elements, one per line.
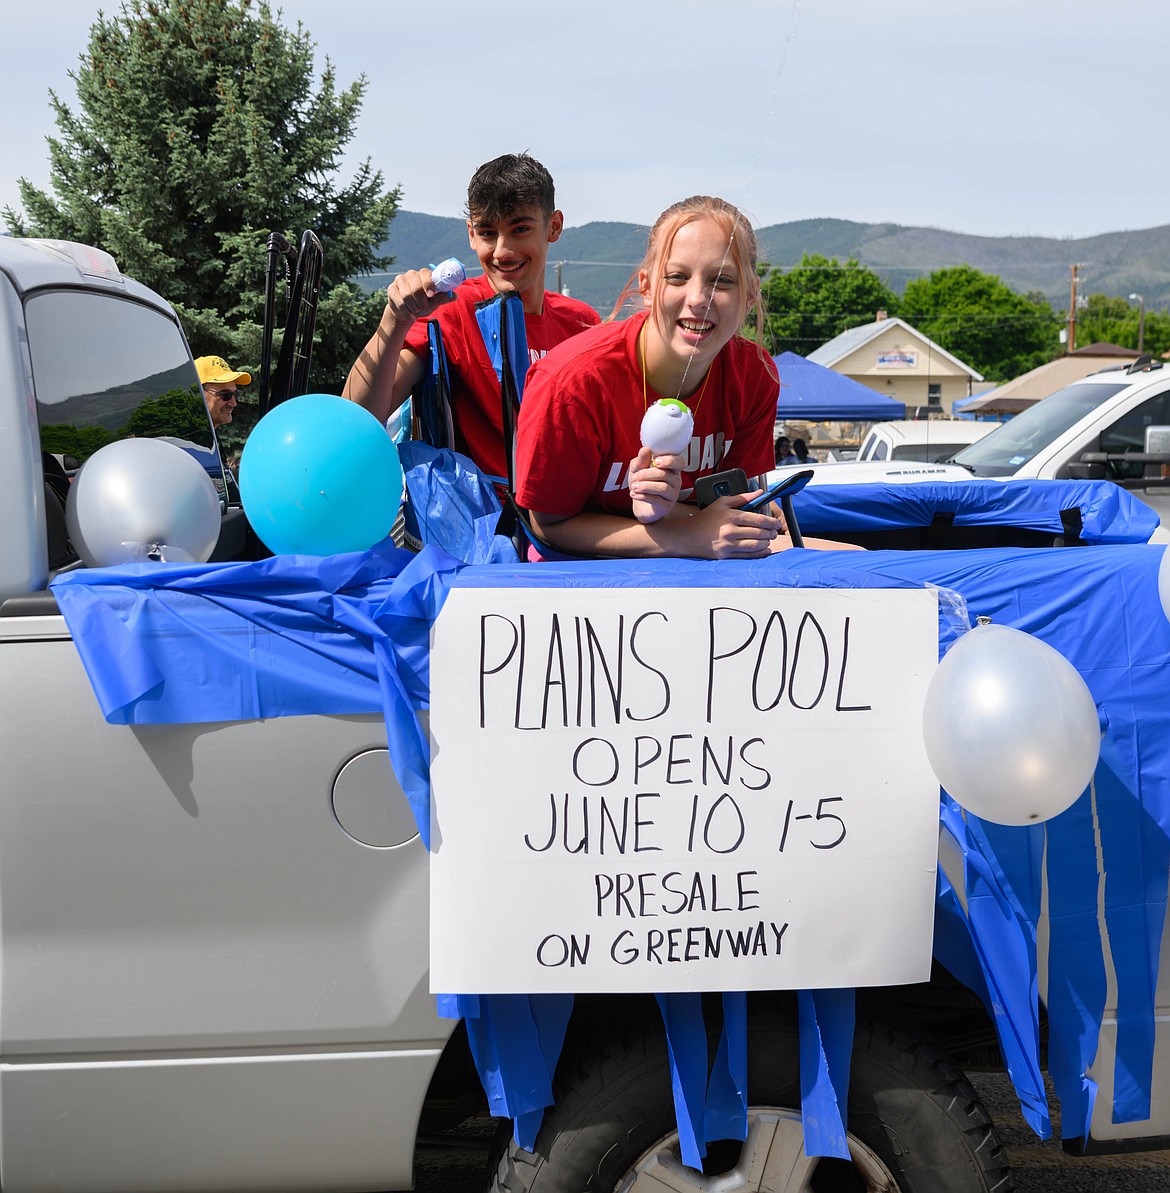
<point>682,790</point>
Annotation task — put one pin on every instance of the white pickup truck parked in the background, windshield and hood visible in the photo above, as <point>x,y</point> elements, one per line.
<point>1113,425</point>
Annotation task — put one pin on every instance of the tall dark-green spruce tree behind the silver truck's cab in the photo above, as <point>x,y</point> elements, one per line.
<point>200,131</point>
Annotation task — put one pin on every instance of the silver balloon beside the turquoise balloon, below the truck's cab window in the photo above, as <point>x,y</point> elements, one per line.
<point>143,499</point>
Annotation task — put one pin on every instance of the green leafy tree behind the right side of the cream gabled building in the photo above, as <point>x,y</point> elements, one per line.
<point>983,322</point>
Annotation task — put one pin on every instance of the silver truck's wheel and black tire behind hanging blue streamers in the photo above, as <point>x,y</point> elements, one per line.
<point>915,1124</point>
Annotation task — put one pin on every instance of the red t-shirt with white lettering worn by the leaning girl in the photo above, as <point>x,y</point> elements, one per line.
<point>581,421</point>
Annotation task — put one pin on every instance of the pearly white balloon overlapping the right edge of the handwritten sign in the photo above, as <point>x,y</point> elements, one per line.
<point>1011,727</point>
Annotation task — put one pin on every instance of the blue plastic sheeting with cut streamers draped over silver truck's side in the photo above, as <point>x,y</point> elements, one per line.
<point>293,636</point>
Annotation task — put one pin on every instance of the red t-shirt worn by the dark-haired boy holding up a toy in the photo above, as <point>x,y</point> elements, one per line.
<point>475,388</point>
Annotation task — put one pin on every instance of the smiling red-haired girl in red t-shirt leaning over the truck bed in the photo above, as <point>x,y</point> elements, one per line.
<point>583,474</point>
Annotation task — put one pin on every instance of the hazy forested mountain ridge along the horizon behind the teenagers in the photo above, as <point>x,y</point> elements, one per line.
<point>598,258</point>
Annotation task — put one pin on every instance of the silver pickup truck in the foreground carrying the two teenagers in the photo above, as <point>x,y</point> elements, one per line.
<point>214,936</point>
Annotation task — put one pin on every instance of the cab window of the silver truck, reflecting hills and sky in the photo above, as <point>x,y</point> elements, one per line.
<point>127,374</point>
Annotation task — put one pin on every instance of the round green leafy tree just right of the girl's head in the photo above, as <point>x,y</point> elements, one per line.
<point>821,299</point>
